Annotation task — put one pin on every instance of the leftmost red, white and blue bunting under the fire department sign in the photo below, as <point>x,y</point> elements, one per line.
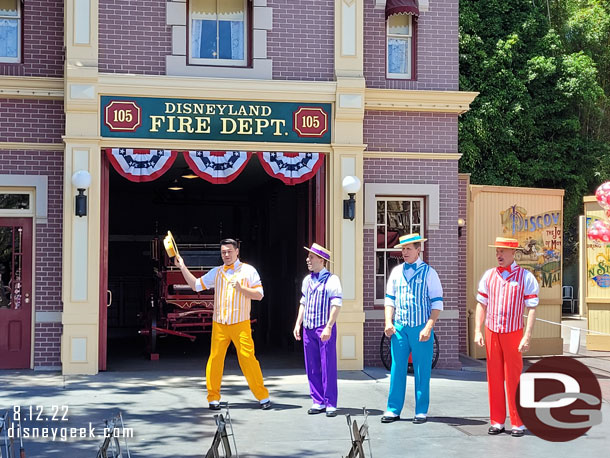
<point>141,165</point>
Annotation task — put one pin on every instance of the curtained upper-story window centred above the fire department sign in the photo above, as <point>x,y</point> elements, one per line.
<point>219,32</point>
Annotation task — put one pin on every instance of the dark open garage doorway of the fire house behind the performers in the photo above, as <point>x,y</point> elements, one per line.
<point>272,221</point>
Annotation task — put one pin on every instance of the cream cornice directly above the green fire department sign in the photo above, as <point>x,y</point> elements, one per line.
<point>217,88</point>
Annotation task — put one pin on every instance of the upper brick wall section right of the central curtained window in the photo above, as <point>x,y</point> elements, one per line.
<point>302,42</point>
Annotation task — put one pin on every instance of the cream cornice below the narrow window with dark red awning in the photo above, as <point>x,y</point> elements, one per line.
<point>427,101</point>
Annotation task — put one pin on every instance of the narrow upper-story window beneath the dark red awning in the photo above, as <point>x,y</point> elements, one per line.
<point>400,52</point>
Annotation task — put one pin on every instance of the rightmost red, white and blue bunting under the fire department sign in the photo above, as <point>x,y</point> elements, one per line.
<point>291,168</point>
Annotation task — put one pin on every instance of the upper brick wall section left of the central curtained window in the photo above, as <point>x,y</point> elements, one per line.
<point>133,36</point>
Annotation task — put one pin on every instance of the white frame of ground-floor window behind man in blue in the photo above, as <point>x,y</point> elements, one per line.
<point>420,228</point>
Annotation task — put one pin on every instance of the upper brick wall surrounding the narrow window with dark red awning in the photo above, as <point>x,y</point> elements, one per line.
<point>437,48</point>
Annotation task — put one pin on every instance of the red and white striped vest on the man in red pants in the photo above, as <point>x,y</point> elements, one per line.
<point>506,301</point>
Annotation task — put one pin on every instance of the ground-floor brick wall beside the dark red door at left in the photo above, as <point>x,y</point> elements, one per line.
<point>48,255</point>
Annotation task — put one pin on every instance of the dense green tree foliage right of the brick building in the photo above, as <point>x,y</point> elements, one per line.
<point>540,117</point>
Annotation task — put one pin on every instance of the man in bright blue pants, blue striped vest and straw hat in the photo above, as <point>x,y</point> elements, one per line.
<point>413,302</point>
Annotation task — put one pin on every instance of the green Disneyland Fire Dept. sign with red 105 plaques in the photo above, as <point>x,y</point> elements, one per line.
<point>193,119</point>
